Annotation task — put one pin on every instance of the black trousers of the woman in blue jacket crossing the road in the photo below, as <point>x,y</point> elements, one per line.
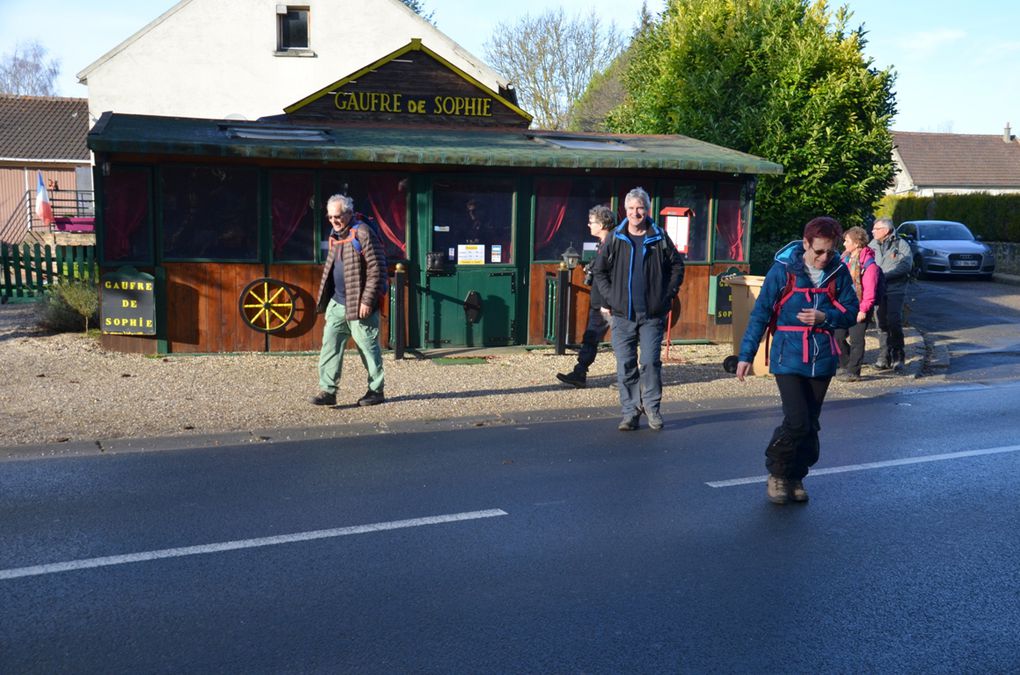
<point>794,449</point>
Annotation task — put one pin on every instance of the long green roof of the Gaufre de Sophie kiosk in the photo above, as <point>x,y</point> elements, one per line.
<point>426,146</point>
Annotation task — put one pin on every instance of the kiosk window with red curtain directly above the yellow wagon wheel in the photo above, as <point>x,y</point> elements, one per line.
<point>292,207</point>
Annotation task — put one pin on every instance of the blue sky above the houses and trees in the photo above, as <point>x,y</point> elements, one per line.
<point>958,64</point>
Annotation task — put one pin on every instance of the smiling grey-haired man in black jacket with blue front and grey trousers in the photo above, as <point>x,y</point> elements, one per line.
<point>639,272</point>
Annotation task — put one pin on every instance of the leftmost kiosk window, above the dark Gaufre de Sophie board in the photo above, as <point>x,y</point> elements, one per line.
<point>127,220</point>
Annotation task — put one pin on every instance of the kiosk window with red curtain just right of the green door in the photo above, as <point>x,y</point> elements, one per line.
<point>562,207</point>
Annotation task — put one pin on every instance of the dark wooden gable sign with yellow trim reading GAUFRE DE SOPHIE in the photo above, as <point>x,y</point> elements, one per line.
<point>412,86</point>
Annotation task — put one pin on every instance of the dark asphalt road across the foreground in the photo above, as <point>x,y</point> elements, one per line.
<point>560,548</point>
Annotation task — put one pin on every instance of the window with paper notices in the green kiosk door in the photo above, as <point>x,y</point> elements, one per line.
<point>473,221</point>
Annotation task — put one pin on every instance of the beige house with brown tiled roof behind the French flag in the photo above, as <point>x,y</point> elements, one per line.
<point>41,134</point>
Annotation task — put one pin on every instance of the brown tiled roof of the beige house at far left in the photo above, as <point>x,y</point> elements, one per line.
<point>43,128</point>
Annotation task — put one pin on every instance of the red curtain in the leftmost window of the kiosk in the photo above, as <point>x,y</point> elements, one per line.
<point>126,211</point>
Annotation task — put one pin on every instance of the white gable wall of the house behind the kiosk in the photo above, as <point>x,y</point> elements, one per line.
<point>218,59</point>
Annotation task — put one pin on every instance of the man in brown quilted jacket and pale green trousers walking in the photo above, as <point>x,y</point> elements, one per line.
<point>349,294</point>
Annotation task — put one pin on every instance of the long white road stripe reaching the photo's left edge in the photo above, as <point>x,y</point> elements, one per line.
<point>87,563</point>
